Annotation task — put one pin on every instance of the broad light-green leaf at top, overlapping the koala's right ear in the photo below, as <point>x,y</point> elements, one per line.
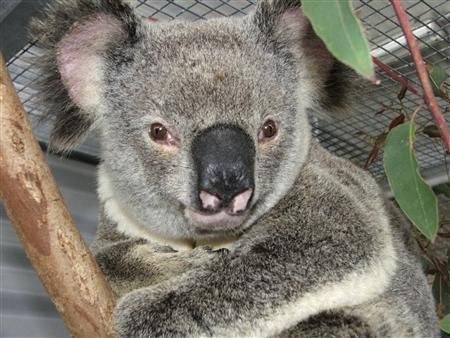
<point>336,24</point>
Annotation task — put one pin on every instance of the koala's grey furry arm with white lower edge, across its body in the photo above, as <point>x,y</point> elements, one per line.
<point>296,262</point>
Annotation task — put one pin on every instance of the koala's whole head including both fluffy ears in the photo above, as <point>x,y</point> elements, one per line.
<point>203,126</point>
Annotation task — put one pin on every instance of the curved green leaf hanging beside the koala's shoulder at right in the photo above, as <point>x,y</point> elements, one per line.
<point>414,196</point>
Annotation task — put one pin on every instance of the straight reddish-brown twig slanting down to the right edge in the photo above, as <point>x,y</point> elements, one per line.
<point>429,97</point>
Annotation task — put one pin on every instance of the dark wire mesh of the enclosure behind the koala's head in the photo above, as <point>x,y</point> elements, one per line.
<point>376,106</point>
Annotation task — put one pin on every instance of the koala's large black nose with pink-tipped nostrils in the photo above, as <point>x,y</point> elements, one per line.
<point>224,158</point>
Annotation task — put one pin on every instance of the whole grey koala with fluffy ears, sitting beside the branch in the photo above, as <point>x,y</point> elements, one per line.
<point>220,215</point>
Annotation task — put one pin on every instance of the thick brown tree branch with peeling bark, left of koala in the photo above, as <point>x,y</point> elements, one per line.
<point>51,241</point>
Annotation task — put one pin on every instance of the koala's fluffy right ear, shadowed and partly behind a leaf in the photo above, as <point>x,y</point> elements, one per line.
<point>285,30</point>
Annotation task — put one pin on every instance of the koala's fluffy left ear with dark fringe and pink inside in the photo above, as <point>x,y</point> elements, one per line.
<point>76,37</point>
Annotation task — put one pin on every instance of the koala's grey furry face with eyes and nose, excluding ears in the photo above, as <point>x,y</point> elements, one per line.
<point>207,121</point>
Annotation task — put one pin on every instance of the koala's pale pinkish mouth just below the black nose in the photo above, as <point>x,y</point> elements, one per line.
<point>221,220</point>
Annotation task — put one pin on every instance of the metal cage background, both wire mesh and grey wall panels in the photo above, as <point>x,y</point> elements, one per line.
<point>25,307</point>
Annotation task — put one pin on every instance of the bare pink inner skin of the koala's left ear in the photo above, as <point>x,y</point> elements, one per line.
<point>80,61</point>
